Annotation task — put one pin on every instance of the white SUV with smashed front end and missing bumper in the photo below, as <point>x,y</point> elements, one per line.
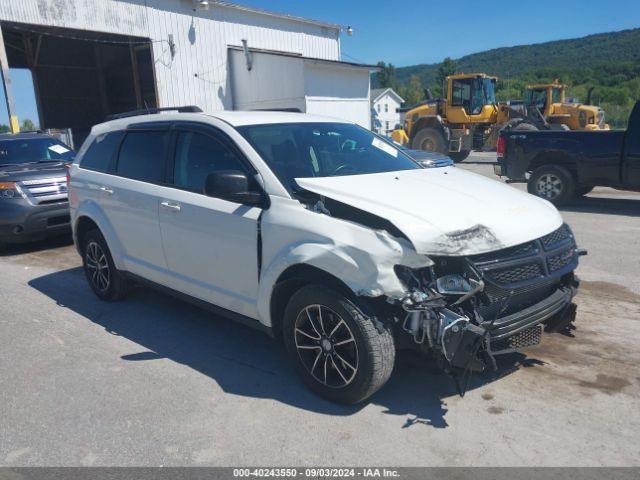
<point>323,234</point>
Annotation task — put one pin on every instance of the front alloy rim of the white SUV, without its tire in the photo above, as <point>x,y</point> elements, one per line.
<point>326,346</point>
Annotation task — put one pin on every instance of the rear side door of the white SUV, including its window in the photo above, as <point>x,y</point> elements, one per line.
<point>131,198</point>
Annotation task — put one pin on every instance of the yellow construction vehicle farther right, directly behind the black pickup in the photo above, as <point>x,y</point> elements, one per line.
<point>549,99</point>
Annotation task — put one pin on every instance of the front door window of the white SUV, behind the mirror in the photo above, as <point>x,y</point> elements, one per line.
<point>197,156</point>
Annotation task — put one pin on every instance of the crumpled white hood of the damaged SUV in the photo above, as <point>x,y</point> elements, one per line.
<point>444,211</point>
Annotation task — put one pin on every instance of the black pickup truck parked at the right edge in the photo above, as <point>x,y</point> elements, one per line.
<point>558,165</point>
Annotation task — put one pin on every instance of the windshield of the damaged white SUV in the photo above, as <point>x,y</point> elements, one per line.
<point>302,150</point>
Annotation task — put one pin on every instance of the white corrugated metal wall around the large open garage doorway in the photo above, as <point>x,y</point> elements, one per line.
<point>197,73</point>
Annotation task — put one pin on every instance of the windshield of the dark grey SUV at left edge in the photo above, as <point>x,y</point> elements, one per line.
<point>18,151</point>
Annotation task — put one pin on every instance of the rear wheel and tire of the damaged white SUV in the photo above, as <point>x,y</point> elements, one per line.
<point>104,279</point>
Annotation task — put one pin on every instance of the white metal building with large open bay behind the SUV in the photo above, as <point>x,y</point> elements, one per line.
<point>92,58</point>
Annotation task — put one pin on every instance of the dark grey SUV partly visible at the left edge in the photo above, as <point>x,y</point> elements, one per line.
<point>33,187</point>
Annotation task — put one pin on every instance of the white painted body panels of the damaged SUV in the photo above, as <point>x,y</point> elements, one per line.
<point>208,249</point>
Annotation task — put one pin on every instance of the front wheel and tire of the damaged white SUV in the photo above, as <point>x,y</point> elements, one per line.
<point>341,370</point>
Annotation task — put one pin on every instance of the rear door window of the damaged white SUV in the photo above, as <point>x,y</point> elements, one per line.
<point>142,156</point>
